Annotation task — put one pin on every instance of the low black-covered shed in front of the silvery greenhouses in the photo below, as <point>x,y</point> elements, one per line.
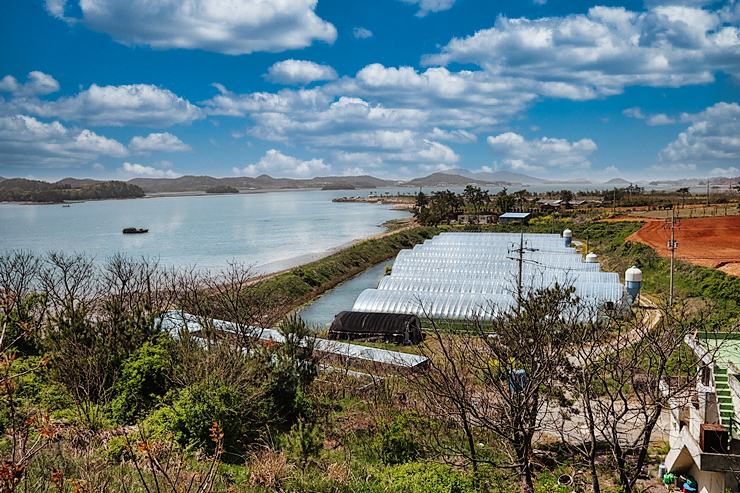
<point>399,328</point>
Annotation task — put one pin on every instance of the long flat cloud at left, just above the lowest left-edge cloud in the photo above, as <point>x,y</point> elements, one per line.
<point>137,105</point>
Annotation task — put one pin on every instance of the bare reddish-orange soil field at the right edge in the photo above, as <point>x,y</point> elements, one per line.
<point>710,242</point>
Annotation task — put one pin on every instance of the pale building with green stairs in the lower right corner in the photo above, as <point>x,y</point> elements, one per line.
<point>705,426</point>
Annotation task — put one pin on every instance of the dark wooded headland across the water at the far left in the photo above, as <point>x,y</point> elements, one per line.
<point>22,190</point>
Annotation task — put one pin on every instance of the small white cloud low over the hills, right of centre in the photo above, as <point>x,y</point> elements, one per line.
<point>519,153</point>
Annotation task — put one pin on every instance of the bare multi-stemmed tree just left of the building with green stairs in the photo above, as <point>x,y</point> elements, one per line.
<point>625,372</point>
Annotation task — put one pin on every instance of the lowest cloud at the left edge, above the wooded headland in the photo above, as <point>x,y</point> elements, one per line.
<point>25,141</point>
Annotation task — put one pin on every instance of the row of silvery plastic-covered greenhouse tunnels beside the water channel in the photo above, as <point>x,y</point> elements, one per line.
<point>474,275</point>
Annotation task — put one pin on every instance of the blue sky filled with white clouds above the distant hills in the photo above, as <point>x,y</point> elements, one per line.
<point>392,88</point>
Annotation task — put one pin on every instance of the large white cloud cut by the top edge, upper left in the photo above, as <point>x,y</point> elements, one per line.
<point>236,27</point>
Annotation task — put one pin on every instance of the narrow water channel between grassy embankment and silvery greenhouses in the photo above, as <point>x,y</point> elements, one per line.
<point>321,312</point>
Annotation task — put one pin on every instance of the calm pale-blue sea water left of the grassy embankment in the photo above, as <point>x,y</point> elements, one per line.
<point>271,230</point>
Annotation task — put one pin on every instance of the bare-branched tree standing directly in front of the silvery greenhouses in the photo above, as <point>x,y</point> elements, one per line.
<point>501,375</point>
